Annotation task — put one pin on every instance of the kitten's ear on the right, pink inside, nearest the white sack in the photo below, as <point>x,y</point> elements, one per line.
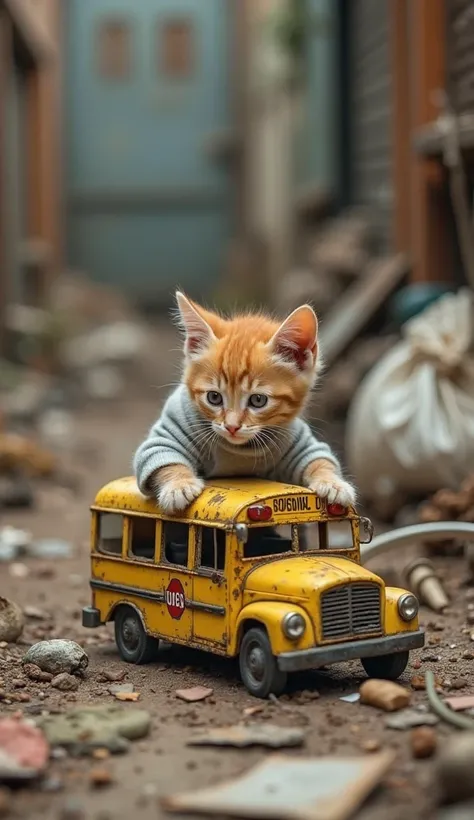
<point>296,339</point>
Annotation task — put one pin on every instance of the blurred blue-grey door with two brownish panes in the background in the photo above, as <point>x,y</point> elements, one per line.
<point>149,206</point>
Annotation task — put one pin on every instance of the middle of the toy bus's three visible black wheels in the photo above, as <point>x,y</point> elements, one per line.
<point>258,666</point>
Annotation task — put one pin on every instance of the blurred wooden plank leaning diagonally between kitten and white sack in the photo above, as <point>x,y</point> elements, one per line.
<point>359,303</point>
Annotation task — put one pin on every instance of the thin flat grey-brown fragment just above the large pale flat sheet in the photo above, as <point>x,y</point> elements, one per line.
<point>252,734</point>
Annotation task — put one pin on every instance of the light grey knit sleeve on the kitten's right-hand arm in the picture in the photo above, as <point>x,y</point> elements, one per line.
<point>304,449</point>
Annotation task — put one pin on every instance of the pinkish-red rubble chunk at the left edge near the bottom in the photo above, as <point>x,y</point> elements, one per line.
<point>24,750</point>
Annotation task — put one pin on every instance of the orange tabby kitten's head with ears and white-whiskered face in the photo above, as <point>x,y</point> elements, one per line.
<point>249,373</point>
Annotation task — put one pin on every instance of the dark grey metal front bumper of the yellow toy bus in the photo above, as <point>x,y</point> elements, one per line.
<point>349,651</point>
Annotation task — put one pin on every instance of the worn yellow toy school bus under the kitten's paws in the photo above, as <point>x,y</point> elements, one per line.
<point>266,571</point>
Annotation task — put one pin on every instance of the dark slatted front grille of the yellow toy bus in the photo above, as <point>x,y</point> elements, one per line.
<point>351,610</point>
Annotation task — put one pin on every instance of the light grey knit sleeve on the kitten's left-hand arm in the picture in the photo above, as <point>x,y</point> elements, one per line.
<point>167,443</point>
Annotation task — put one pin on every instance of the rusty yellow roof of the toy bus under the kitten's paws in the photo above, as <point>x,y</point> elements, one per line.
<point>221,501</point>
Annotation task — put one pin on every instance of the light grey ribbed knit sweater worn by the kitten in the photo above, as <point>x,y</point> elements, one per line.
<point>176,438</point>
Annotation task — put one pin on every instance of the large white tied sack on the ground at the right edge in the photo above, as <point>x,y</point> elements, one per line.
<point>411,424</point>
